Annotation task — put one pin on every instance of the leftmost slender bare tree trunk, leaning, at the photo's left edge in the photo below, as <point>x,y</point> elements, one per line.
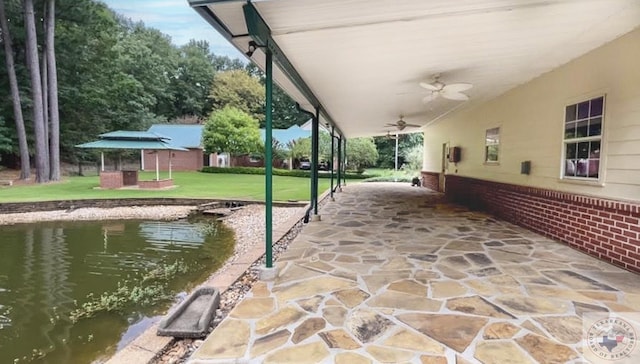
<point>25,166</point>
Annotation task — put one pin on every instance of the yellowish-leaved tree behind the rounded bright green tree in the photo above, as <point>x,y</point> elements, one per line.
<point>238,89</point>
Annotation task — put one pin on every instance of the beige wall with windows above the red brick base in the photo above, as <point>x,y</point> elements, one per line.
<point>531,121</point>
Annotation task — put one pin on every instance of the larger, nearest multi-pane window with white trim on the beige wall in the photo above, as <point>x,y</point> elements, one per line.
<point>582,139</point>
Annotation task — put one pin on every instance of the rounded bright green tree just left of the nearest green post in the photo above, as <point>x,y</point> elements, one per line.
<point>233,131</point>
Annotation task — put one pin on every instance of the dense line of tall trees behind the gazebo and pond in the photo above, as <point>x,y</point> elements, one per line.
<point>75,69</point>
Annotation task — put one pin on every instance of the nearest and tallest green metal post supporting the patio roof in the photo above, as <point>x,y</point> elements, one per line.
<point>268,160</point>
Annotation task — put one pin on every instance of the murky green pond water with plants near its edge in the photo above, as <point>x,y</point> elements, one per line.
<point>49,270</point>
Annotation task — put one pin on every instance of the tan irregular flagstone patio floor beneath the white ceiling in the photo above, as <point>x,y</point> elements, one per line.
<point>392,274</point>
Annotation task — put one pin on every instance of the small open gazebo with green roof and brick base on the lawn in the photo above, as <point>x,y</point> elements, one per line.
<point>131,140</point>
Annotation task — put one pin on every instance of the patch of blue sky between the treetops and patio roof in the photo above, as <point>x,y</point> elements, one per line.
<point>176,19</point>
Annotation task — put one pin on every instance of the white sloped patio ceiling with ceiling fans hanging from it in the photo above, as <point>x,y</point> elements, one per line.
<point>363,59</point>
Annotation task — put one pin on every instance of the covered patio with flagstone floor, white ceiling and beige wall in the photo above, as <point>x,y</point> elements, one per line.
<point>395,274</point>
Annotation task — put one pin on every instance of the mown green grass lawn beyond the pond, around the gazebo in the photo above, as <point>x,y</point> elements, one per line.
<point>188,185</point>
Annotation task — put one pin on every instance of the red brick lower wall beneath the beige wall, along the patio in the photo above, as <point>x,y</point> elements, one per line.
<point>604,228</point>
